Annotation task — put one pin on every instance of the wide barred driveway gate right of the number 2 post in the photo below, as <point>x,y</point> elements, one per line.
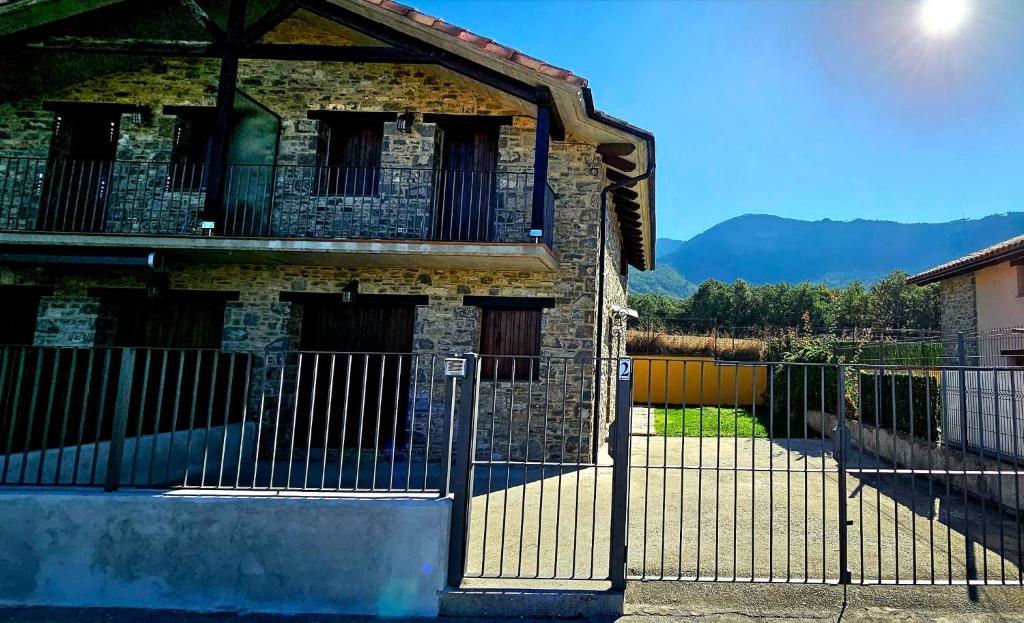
<point>823,474</point>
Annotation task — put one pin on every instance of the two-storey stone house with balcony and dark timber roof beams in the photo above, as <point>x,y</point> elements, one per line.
<point>321,177</point>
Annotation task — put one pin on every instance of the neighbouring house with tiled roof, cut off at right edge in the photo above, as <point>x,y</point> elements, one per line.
<point>983,316</point>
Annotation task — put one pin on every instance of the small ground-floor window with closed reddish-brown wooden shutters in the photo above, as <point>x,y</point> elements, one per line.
<point>515,337</point>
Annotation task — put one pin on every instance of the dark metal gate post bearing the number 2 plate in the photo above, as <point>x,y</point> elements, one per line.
<point>621,473</point>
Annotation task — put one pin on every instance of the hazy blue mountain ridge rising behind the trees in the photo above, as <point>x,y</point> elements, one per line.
<point>760,250</point>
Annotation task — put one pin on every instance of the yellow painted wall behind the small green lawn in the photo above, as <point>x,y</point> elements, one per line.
<point>655,378</point>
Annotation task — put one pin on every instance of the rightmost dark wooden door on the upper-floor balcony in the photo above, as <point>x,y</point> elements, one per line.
<point>467,185</point>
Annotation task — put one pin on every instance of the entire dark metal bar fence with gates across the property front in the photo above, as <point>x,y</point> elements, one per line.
<point>793,473</point>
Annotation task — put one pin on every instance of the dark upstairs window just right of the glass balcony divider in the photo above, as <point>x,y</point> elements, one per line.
<point>349,154</point>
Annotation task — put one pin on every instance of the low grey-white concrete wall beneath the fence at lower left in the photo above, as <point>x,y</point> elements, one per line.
<point>241,553</point>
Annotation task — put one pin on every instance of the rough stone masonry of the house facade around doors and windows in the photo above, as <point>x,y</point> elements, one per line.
<point>292,91</point>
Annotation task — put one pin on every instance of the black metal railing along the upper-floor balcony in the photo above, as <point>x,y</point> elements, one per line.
<point>269,201</point>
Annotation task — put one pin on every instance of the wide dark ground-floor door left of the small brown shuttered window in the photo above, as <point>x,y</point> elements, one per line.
<point>362,350</point>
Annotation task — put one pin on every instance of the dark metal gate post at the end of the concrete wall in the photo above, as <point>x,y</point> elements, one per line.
<point>462,477</point>
